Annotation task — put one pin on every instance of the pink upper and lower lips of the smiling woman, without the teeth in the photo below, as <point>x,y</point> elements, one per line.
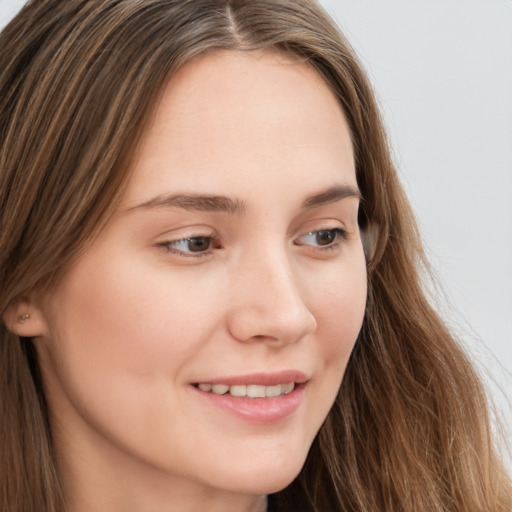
<point>263,411</point>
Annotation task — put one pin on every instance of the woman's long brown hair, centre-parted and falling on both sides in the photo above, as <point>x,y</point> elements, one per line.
<point>78,79</point>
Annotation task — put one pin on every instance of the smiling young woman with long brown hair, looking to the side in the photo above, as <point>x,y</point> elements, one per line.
<point>202,235</point>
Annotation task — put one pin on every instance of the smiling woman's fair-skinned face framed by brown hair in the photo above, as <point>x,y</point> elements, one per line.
<point>233,266</point>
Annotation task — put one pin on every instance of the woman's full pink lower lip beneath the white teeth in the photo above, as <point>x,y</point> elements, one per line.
<point>263,411</point>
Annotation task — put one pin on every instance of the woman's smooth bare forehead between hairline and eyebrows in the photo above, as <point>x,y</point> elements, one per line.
<point>226,114</point>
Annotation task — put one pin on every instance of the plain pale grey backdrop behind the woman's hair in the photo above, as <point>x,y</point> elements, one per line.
<point>442,70</point>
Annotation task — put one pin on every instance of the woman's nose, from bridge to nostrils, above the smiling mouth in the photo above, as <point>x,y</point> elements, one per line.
<point>268,303</point>
